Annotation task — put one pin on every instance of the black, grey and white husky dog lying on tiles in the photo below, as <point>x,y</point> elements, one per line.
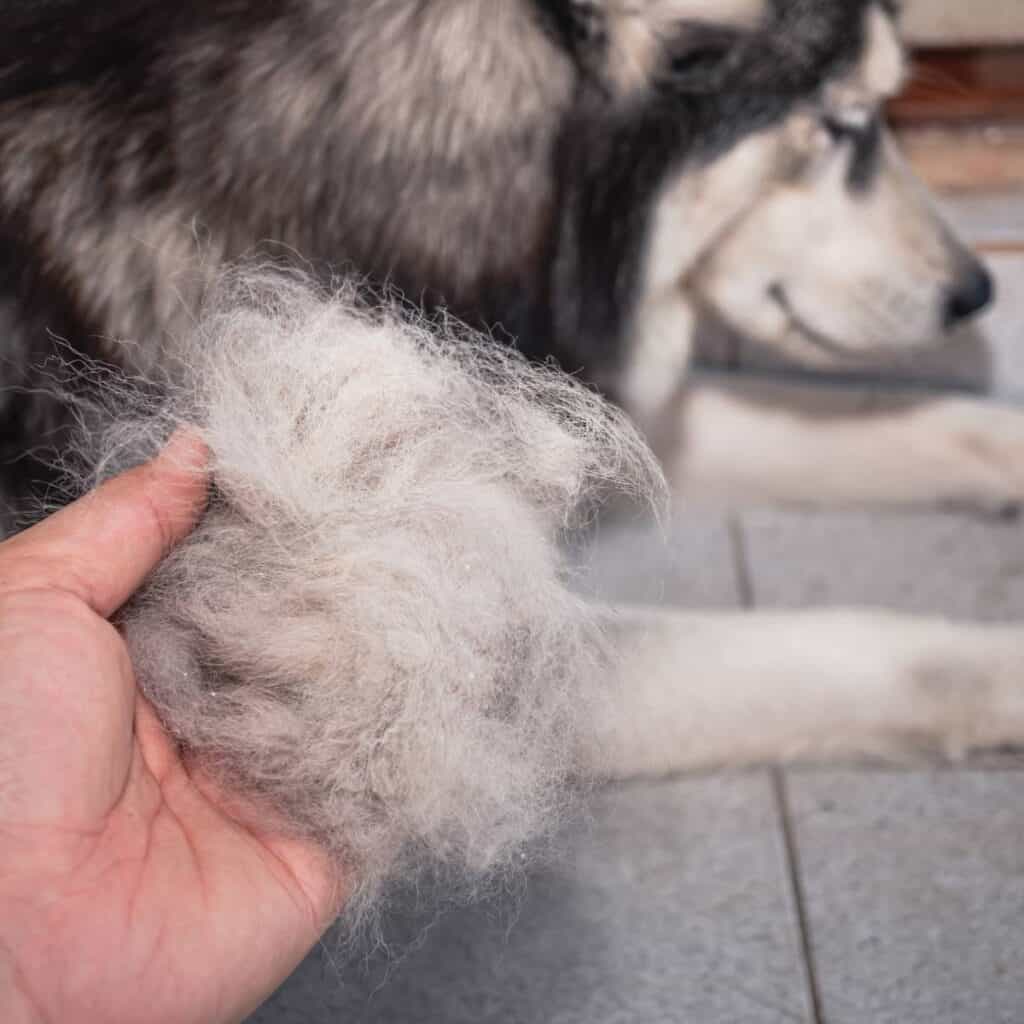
<point>582,179</point>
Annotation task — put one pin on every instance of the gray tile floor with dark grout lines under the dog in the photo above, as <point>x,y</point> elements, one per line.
<point>818,897</point>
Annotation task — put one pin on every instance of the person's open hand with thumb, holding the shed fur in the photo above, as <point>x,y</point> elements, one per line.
<point>132,888</point>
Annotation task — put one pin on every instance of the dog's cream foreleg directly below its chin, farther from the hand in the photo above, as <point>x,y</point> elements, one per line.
<point>761,442</point>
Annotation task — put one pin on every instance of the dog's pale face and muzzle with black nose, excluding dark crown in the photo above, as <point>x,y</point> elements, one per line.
<point>839,245</point>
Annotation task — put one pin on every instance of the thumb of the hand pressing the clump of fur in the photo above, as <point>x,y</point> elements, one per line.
<point>102,547</point>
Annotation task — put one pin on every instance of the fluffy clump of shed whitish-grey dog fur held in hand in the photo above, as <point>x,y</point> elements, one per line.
<point>372,629</point>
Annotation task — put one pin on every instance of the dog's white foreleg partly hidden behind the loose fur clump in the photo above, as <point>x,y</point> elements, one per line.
<point>720,690</point>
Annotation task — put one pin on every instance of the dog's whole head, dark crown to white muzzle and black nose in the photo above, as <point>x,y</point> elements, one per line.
<point>790,211</point>
